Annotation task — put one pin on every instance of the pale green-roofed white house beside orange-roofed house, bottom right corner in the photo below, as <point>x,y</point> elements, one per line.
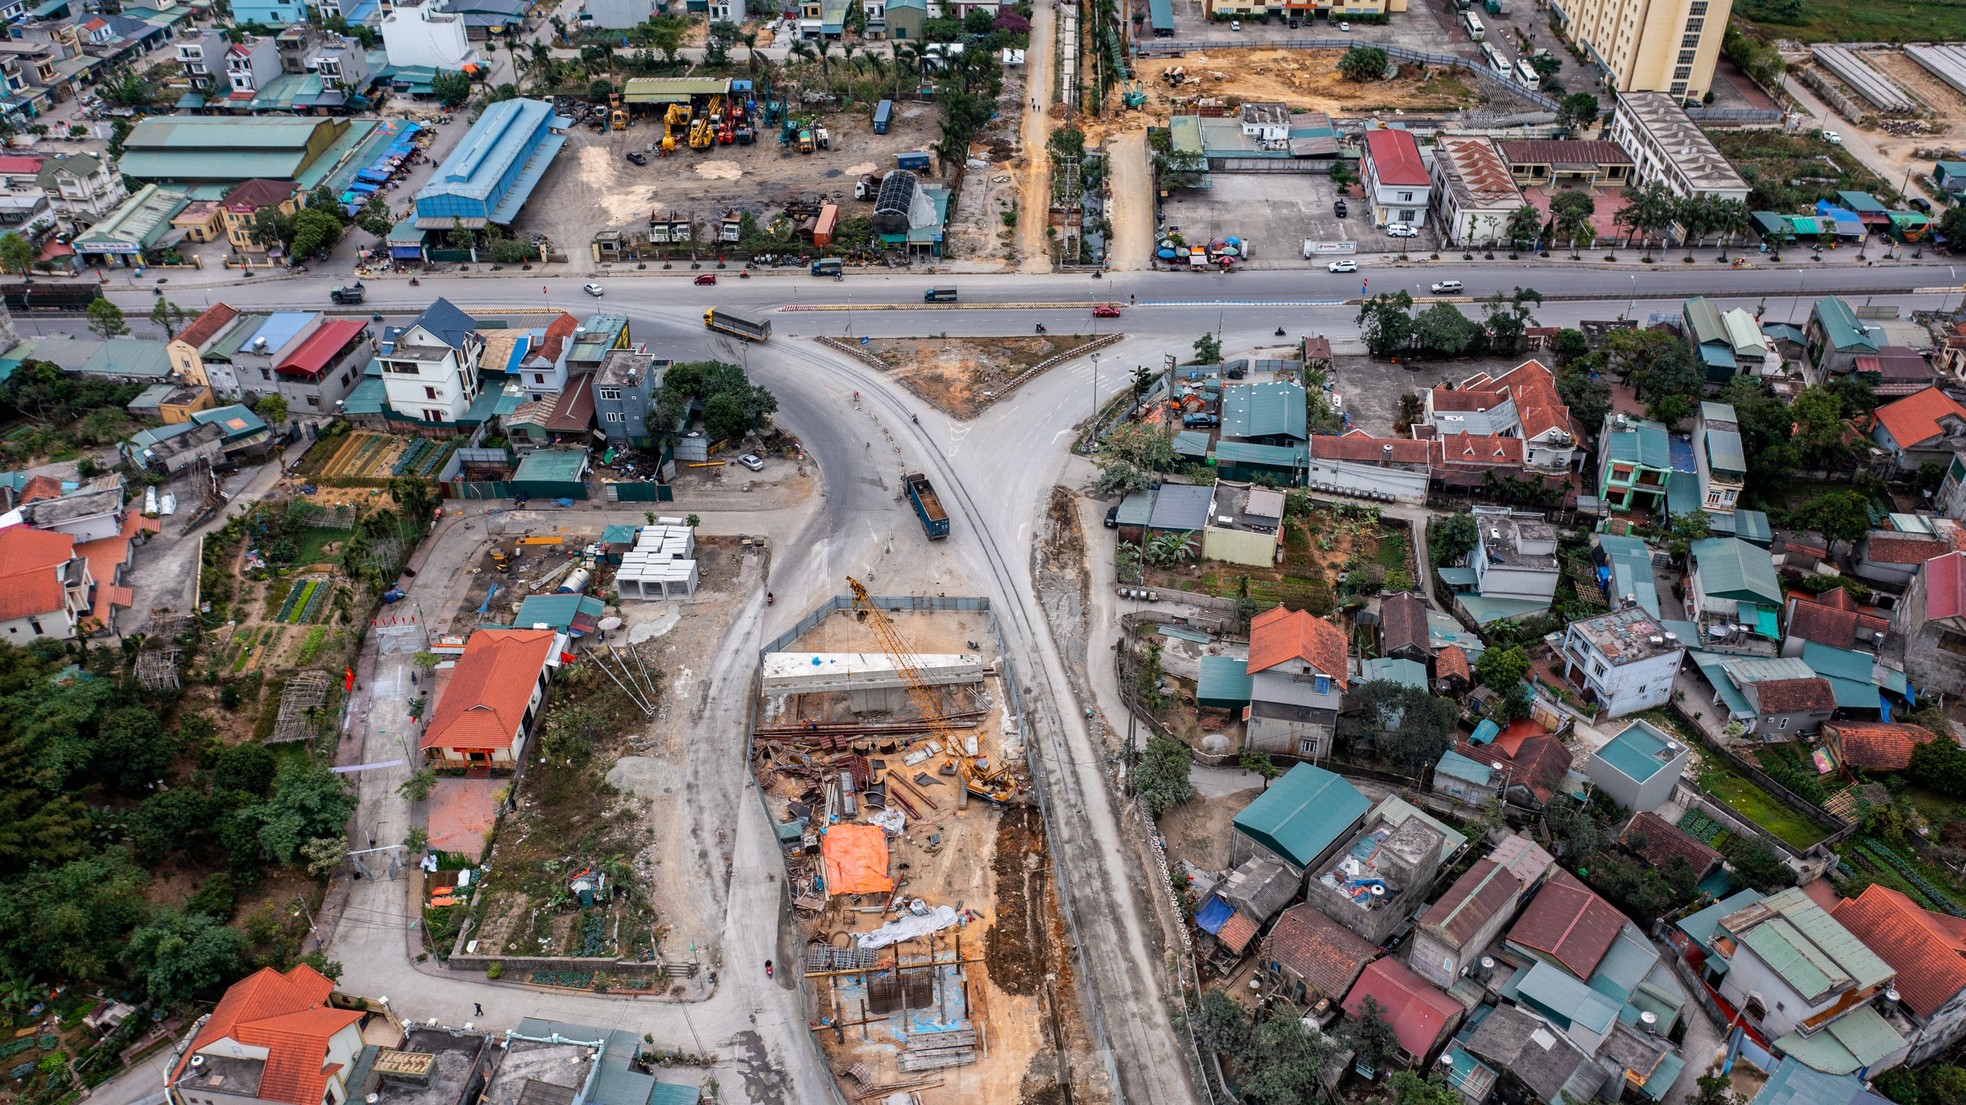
<point>1806,984</point>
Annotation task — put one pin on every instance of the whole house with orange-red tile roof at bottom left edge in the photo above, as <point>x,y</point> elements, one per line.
<point>274,1039</point>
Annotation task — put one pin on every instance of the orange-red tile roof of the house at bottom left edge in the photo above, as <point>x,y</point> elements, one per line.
<point>290,1018</point>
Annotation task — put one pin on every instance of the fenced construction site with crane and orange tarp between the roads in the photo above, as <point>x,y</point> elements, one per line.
<point>892,764</point>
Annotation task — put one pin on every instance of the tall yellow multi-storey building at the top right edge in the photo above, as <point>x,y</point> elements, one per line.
<point>1650,46</point>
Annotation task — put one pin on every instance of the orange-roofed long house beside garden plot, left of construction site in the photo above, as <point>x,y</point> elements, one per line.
<point>485,713</point>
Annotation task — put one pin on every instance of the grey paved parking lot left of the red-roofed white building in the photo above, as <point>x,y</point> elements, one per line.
<point>1277,213</point>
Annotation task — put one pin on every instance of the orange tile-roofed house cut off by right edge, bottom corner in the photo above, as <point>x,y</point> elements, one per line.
<point>1930,955</point>
